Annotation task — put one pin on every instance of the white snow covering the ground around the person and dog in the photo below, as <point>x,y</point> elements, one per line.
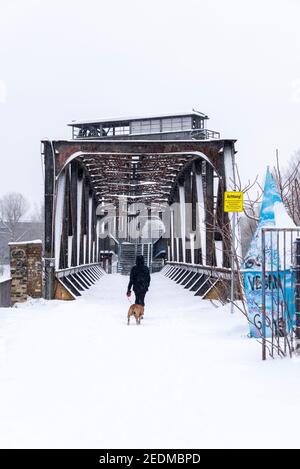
<point>74,375</point>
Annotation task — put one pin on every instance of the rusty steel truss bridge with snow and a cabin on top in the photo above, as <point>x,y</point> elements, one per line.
<point>152,186</point>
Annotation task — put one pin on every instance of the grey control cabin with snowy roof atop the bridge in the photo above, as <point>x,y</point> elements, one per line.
<point>158,127</point>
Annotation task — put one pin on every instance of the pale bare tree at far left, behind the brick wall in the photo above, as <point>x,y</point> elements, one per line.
<point>13,207</point>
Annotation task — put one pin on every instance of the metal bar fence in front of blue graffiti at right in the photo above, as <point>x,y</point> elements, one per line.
<point>280,284</point>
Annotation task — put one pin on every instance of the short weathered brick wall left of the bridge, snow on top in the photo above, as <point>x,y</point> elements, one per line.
<point>26,270</point>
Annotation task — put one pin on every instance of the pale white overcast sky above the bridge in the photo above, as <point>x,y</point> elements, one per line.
<point>237,61</point>
